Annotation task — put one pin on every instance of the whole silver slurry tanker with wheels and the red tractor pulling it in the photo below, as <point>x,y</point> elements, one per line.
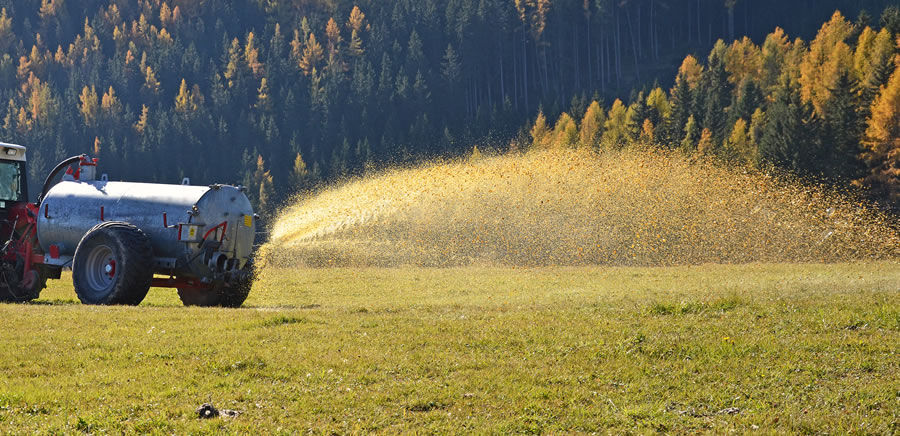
<point>121,238</point>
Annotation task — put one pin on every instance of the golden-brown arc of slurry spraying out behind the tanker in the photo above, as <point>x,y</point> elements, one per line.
<point>565,207</point>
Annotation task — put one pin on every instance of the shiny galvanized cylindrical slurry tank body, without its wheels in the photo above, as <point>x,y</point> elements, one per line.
<point>180,220</point>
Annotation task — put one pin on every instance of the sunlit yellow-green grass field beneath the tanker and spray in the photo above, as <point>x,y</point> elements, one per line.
<point>799,348</point>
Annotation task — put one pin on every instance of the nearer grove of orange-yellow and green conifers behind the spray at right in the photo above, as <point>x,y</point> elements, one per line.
<point>827,109</point>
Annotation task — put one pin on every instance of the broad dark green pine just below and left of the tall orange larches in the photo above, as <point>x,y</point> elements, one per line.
<point>789,138</point>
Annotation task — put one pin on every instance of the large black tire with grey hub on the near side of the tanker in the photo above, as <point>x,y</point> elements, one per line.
<point>113,264</point>
